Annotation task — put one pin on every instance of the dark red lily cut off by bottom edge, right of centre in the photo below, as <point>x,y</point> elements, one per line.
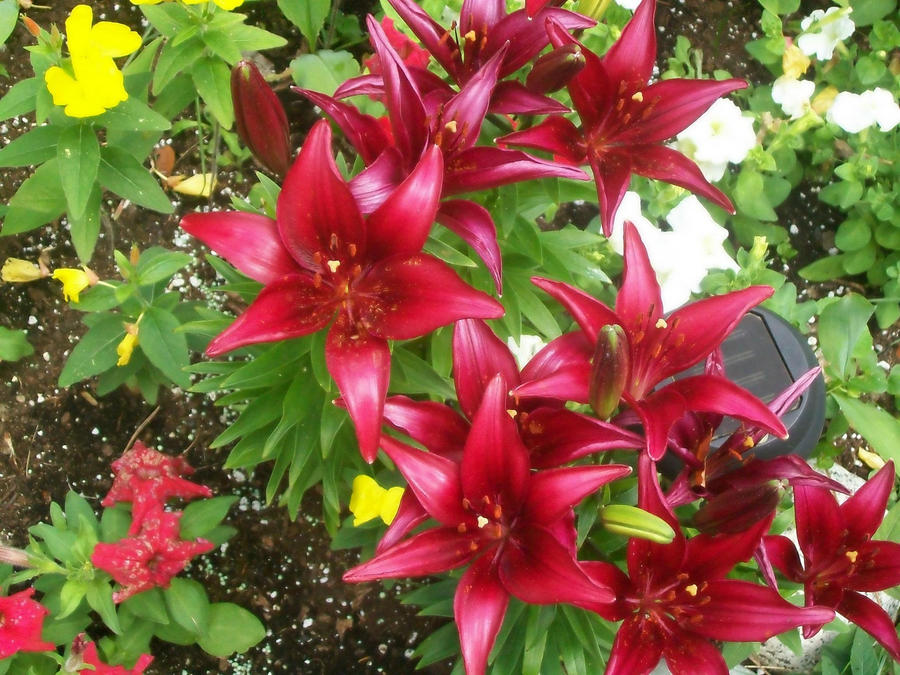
<point>675,598</point>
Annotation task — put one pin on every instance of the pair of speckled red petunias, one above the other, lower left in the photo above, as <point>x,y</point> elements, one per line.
<point>155,552</point>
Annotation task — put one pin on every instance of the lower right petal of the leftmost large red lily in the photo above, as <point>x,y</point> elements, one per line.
<point>409,296</point>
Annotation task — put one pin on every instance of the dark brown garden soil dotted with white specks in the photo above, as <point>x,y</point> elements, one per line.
<point>53,440</point>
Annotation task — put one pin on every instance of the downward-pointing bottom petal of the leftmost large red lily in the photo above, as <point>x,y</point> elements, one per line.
<point>361,367</point>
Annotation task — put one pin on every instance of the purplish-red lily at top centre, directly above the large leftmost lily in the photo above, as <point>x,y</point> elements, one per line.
<point>419,120</point>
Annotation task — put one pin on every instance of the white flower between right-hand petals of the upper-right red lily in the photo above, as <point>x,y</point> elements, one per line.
<point>720,135</point>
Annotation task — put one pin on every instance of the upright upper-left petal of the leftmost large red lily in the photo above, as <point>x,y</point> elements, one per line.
<point>315,207</point>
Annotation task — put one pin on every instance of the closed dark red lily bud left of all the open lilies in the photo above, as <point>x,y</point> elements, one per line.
<point>261,121</point>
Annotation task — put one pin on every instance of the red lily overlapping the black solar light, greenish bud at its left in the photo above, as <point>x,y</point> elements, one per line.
<point>659,348</point>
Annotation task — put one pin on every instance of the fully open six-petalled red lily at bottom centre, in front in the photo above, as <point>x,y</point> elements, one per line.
<point>512,526</point>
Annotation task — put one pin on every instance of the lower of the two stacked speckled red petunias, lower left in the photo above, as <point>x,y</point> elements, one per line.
<point>151,559</point>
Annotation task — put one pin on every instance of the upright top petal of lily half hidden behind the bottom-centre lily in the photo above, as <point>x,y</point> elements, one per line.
<point>478,356</point>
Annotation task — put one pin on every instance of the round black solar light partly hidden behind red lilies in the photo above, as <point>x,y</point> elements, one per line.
<point>765,355</point>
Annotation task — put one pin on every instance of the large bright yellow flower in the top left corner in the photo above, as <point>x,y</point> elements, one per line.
<point>91,83</point>
